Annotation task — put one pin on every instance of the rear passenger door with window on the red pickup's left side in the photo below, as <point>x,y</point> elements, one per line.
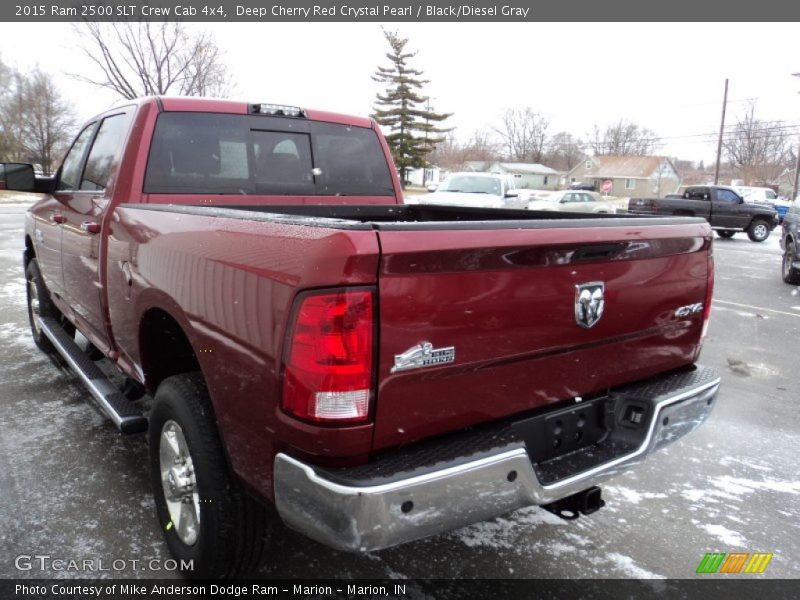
<point>83,209</point>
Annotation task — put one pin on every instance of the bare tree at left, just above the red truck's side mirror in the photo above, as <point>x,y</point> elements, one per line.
<point>47,121</point>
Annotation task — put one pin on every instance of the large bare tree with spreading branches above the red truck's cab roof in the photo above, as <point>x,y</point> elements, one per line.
<point>150,58</point>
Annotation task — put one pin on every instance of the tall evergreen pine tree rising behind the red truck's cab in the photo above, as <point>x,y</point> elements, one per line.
<point>404,111</point>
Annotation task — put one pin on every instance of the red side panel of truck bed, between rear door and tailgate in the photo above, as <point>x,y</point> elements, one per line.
<point>230,284</point>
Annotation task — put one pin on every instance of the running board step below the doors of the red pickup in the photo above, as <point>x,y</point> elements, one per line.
<point>125,414</point>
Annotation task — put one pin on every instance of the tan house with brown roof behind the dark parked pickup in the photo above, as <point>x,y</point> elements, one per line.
<point>631,176</point>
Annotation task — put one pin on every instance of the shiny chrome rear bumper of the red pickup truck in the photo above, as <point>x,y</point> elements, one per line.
<point>461,492</point>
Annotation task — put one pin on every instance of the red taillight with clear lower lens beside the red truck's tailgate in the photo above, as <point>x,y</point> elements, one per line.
<point>328,371</point>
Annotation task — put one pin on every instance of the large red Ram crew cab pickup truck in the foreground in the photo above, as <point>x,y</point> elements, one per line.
<point>291,335</point>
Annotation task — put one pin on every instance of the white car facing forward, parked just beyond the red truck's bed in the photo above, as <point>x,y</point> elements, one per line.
<point>482,190</point>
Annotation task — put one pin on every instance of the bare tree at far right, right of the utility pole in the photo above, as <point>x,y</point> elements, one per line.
<point>758,150</point>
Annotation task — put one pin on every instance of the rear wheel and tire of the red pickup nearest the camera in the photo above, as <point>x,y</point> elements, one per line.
<point>204,515</point>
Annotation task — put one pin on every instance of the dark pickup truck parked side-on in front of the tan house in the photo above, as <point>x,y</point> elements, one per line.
<point>721,206</point>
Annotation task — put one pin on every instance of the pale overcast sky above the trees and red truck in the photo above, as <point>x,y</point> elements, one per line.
<point>667,77</point>
